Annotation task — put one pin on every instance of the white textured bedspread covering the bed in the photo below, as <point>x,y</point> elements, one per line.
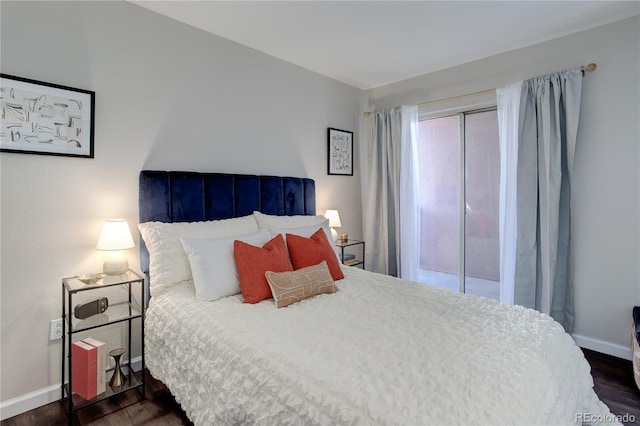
<point>379,351</point>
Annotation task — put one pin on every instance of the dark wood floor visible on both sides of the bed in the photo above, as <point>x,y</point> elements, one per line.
<point>613,382</point>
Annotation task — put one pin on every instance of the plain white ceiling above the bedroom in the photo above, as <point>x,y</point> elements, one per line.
<point>368,44</point>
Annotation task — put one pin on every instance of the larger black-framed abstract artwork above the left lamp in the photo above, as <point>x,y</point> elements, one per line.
<point>45,118</point>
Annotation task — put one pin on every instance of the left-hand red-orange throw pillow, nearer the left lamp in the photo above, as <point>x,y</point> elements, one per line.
<point>252,262</point>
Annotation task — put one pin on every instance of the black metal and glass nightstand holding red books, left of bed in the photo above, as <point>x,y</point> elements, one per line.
<point>124,308</point>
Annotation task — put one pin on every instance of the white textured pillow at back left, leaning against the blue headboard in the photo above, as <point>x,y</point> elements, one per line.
<point>168,263</point>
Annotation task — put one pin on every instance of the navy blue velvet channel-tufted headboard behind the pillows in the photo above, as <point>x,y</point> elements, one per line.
<point>190,196</point>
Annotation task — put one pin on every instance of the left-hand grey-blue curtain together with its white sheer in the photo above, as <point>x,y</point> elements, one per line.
<point>390,188</point>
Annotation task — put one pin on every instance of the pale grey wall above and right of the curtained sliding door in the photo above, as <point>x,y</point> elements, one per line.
<point>607,183</point>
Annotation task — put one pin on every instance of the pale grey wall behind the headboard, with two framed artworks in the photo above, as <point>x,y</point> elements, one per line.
<point>169,97</point>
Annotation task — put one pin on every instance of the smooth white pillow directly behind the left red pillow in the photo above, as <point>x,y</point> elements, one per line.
<point>213,264</point>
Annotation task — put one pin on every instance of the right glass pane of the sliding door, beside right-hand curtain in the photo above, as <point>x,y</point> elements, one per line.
<point>482,191</point>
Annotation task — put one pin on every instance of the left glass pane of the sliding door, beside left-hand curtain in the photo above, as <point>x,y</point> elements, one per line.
<point>439,173</point>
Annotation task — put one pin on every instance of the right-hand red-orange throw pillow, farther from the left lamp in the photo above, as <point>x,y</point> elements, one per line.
<point>311,251</point>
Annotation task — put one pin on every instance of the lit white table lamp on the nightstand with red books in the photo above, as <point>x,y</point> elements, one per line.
<point>115,237</point>
